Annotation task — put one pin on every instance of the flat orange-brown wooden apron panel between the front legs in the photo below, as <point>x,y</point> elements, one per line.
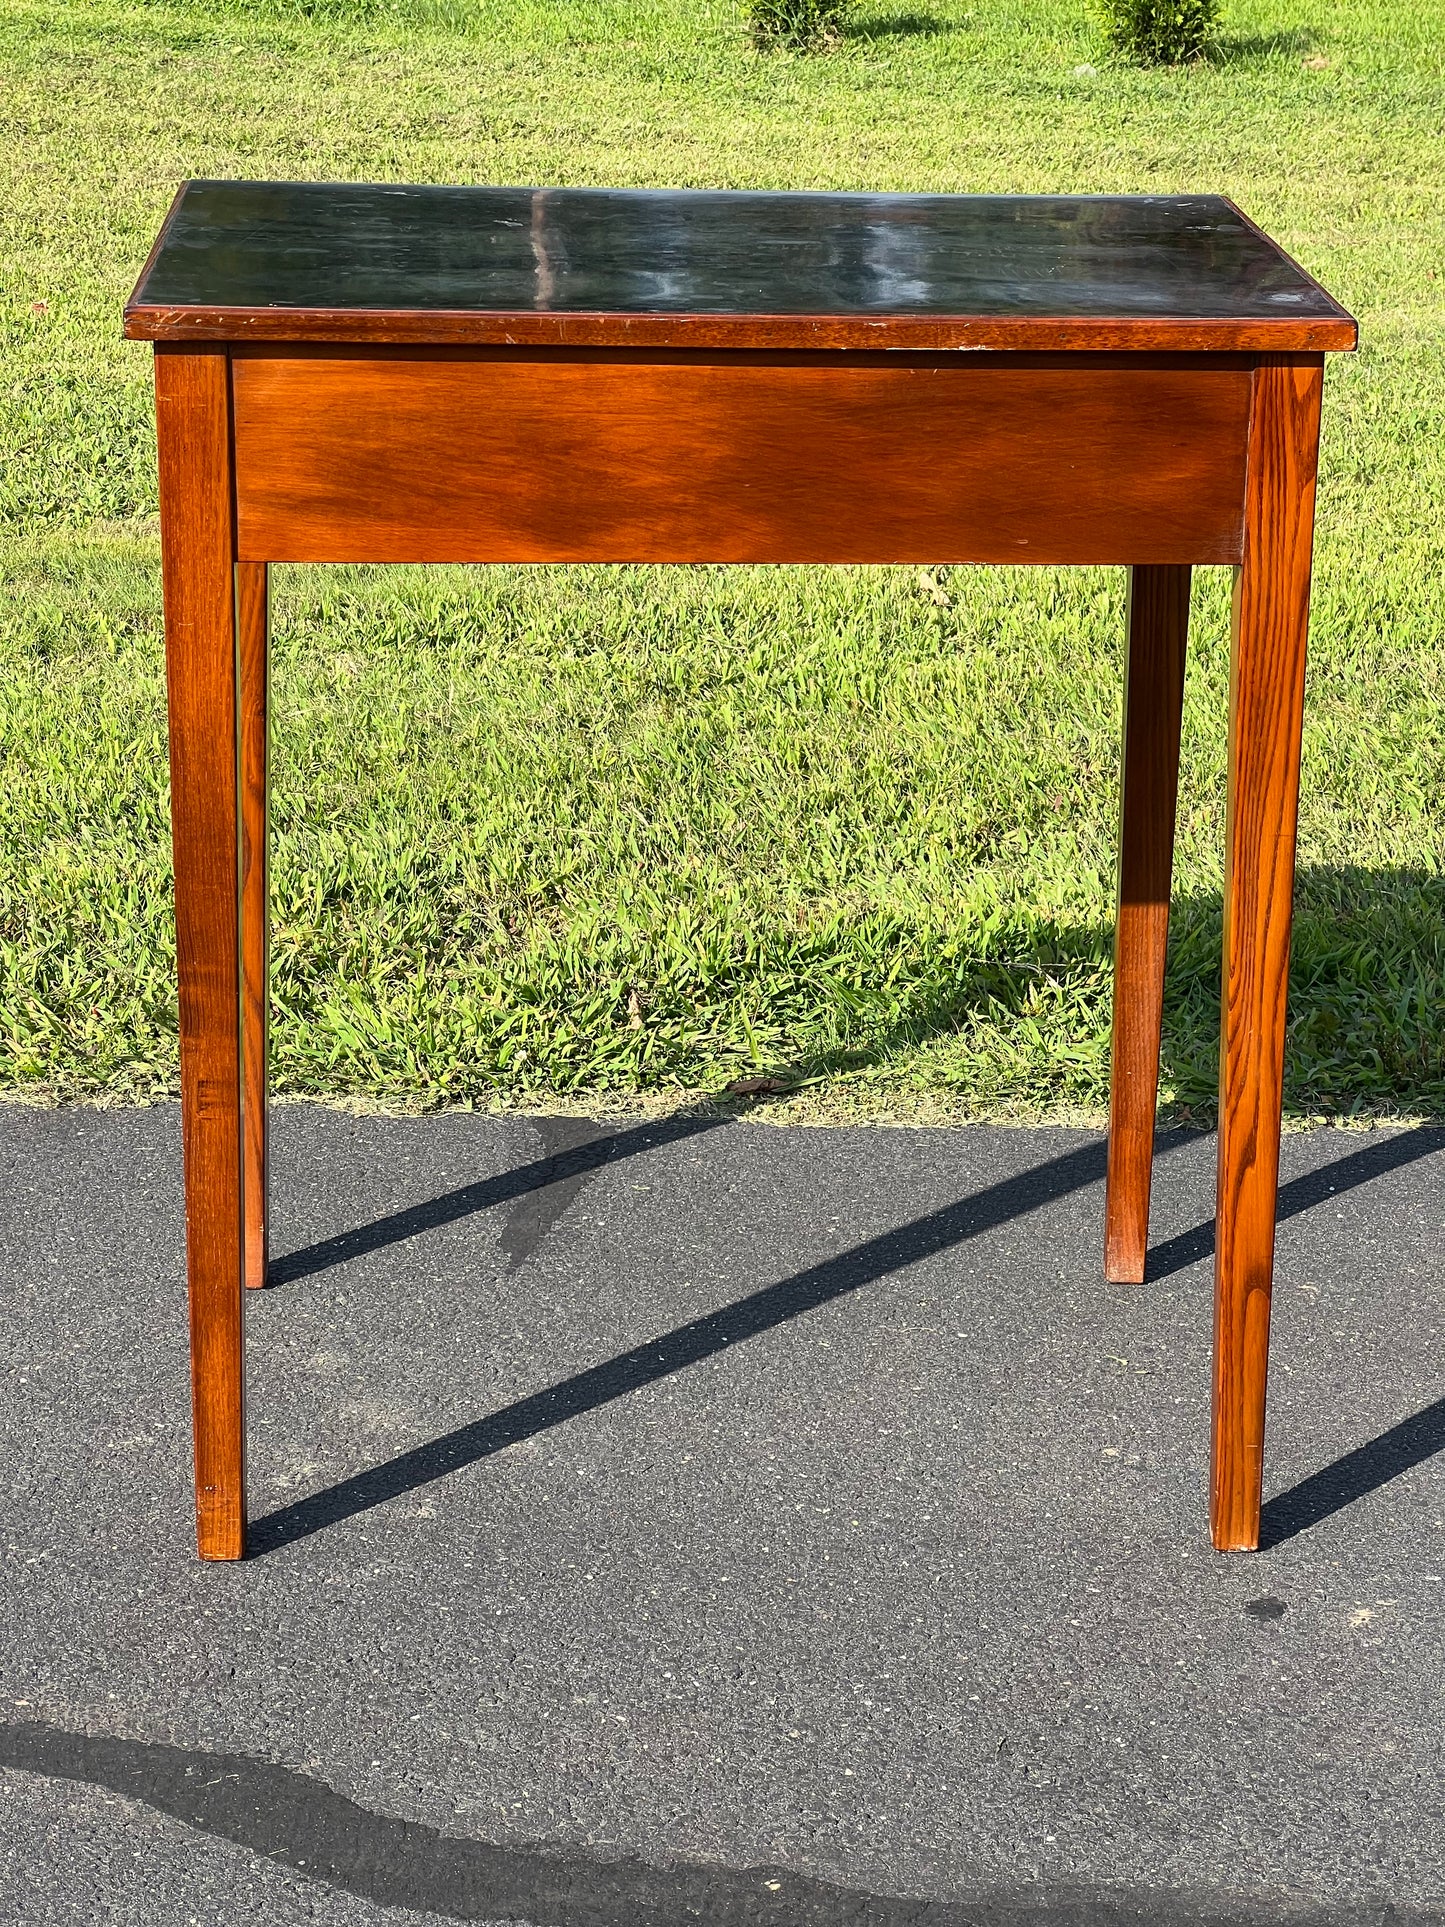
<point>433,458</point>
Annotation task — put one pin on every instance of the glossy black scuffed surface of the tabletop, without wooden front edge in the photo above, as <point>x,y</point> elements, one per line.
<point>513,250</point>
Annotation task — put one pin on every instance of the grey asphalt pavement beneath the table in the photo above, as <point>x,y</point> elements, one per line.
<point>702,1521</point>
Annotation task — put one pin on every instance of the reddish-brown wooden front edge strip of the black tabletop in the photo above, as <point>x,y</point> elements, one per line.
<point>812,332</point>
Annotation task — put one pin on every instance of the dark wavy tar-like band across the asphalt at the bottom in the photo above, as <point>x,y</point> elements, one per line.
<point>302,1824</point>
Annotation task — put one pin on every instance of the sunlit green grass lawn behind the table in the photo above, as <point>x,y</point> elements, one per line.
<point>558,833</point>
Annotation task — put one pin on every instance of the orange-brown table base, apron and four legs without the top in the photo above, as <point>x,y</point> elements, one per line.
<point>596,456</point>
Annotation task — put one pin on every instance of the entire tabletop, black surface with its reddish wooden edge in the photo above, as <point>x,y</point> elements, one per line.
<point>271,261</point>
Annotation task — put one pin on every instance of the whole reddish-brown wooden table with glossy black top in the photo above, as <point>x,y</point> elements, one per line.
<point>477,375</point>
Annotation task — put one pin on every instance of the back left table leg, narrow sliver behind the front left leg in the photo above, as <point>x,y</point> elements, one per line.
<point>251,633</point>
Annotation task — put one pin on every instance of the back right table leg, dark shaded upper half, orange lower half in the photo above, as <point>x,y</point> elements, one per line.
<point>1153,704</point>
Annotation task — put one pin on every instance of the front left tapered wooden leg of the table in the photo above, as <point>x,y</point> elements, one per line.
<point>201,672</point>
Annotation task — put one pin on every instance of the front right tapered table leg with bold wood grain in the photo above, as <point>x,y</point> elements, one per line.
<point>1267,704</point>
